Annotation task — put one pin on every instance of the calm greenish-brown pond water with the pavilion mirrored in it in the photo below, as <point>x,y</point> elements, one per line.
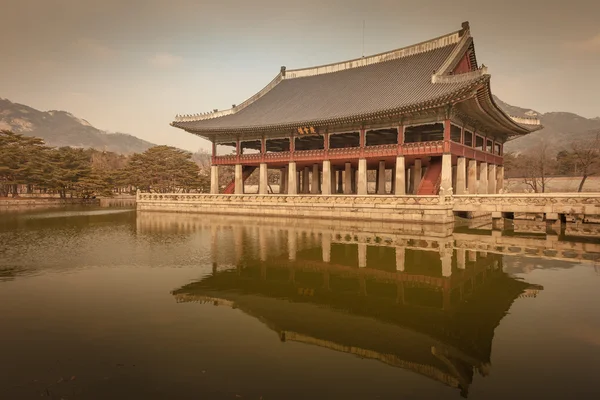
<point>107,303</point>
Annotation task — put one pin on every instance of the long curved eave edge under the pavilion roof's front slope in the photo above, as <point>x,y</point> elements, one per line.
<point>453,97</point>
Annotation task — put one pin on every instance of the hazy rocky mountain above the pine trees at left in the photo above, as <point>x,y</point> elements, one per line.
<point>60,128</point>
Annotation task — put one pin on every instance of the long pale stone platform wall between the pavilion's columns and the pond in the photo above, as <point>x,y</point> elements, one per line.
<point>432,209</point>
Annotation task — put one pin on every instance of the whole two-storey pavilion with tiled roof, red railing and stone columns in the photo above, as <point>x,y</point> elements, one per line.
<point>423,113</point>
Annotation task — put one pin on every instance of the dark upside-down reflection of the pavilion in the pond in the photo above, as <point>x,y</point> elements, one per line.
<point>432,312</point>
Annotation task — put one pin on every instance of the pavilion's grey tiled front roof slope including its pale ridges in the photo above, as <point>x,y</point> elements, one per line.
<point>359,88</point>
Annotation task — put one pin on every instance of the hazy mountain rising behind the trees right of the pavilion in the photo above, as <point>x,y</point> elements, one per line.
<point>560,130</point>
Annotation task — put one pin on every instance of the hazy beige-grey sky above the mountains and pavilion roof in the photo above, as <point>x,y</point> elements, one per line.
<point>131,65</point>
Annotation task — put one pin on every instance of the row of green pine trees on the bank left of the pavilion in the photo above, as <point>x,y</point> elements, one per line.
<point>27,165</point>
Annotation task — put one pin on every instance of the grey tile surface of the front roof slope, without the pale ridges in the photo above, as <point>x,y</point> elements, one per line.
<point>358,91</point>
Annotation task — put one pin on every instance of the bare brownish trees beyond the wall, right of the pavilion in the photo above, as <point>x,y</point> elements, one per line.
<point>537,168</point>
